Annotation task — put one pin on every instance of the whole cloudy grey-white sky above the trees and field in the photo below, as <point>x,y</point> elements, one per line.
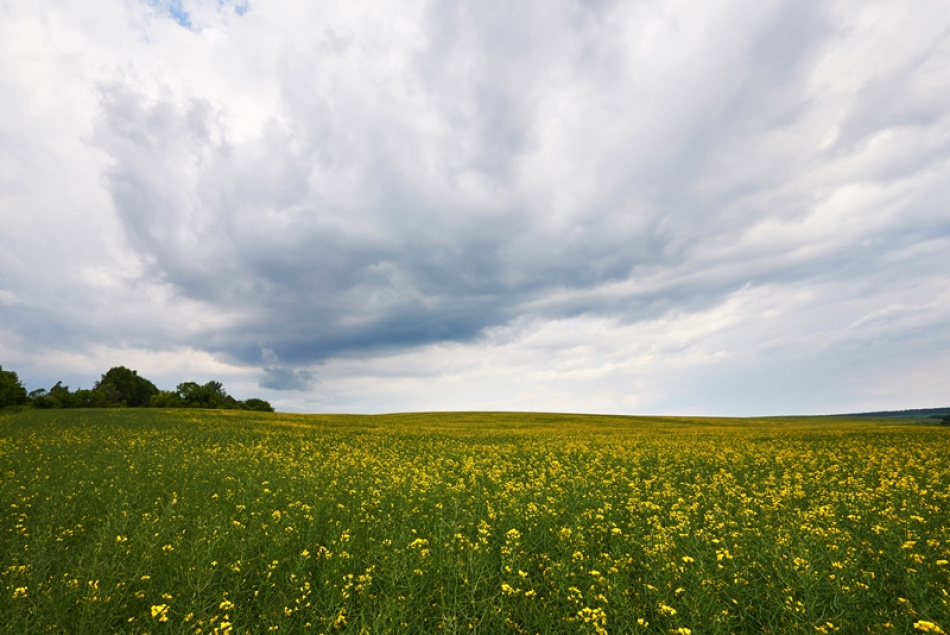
<point>735,208</point>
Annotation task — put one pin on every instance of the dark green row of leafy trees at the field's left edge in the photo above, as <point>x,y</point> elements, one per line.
<point>121,387</point>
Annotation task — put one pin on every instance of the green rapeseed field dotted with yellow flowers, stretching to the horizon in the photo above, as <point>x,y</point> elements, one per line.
<point>149,521</point>
